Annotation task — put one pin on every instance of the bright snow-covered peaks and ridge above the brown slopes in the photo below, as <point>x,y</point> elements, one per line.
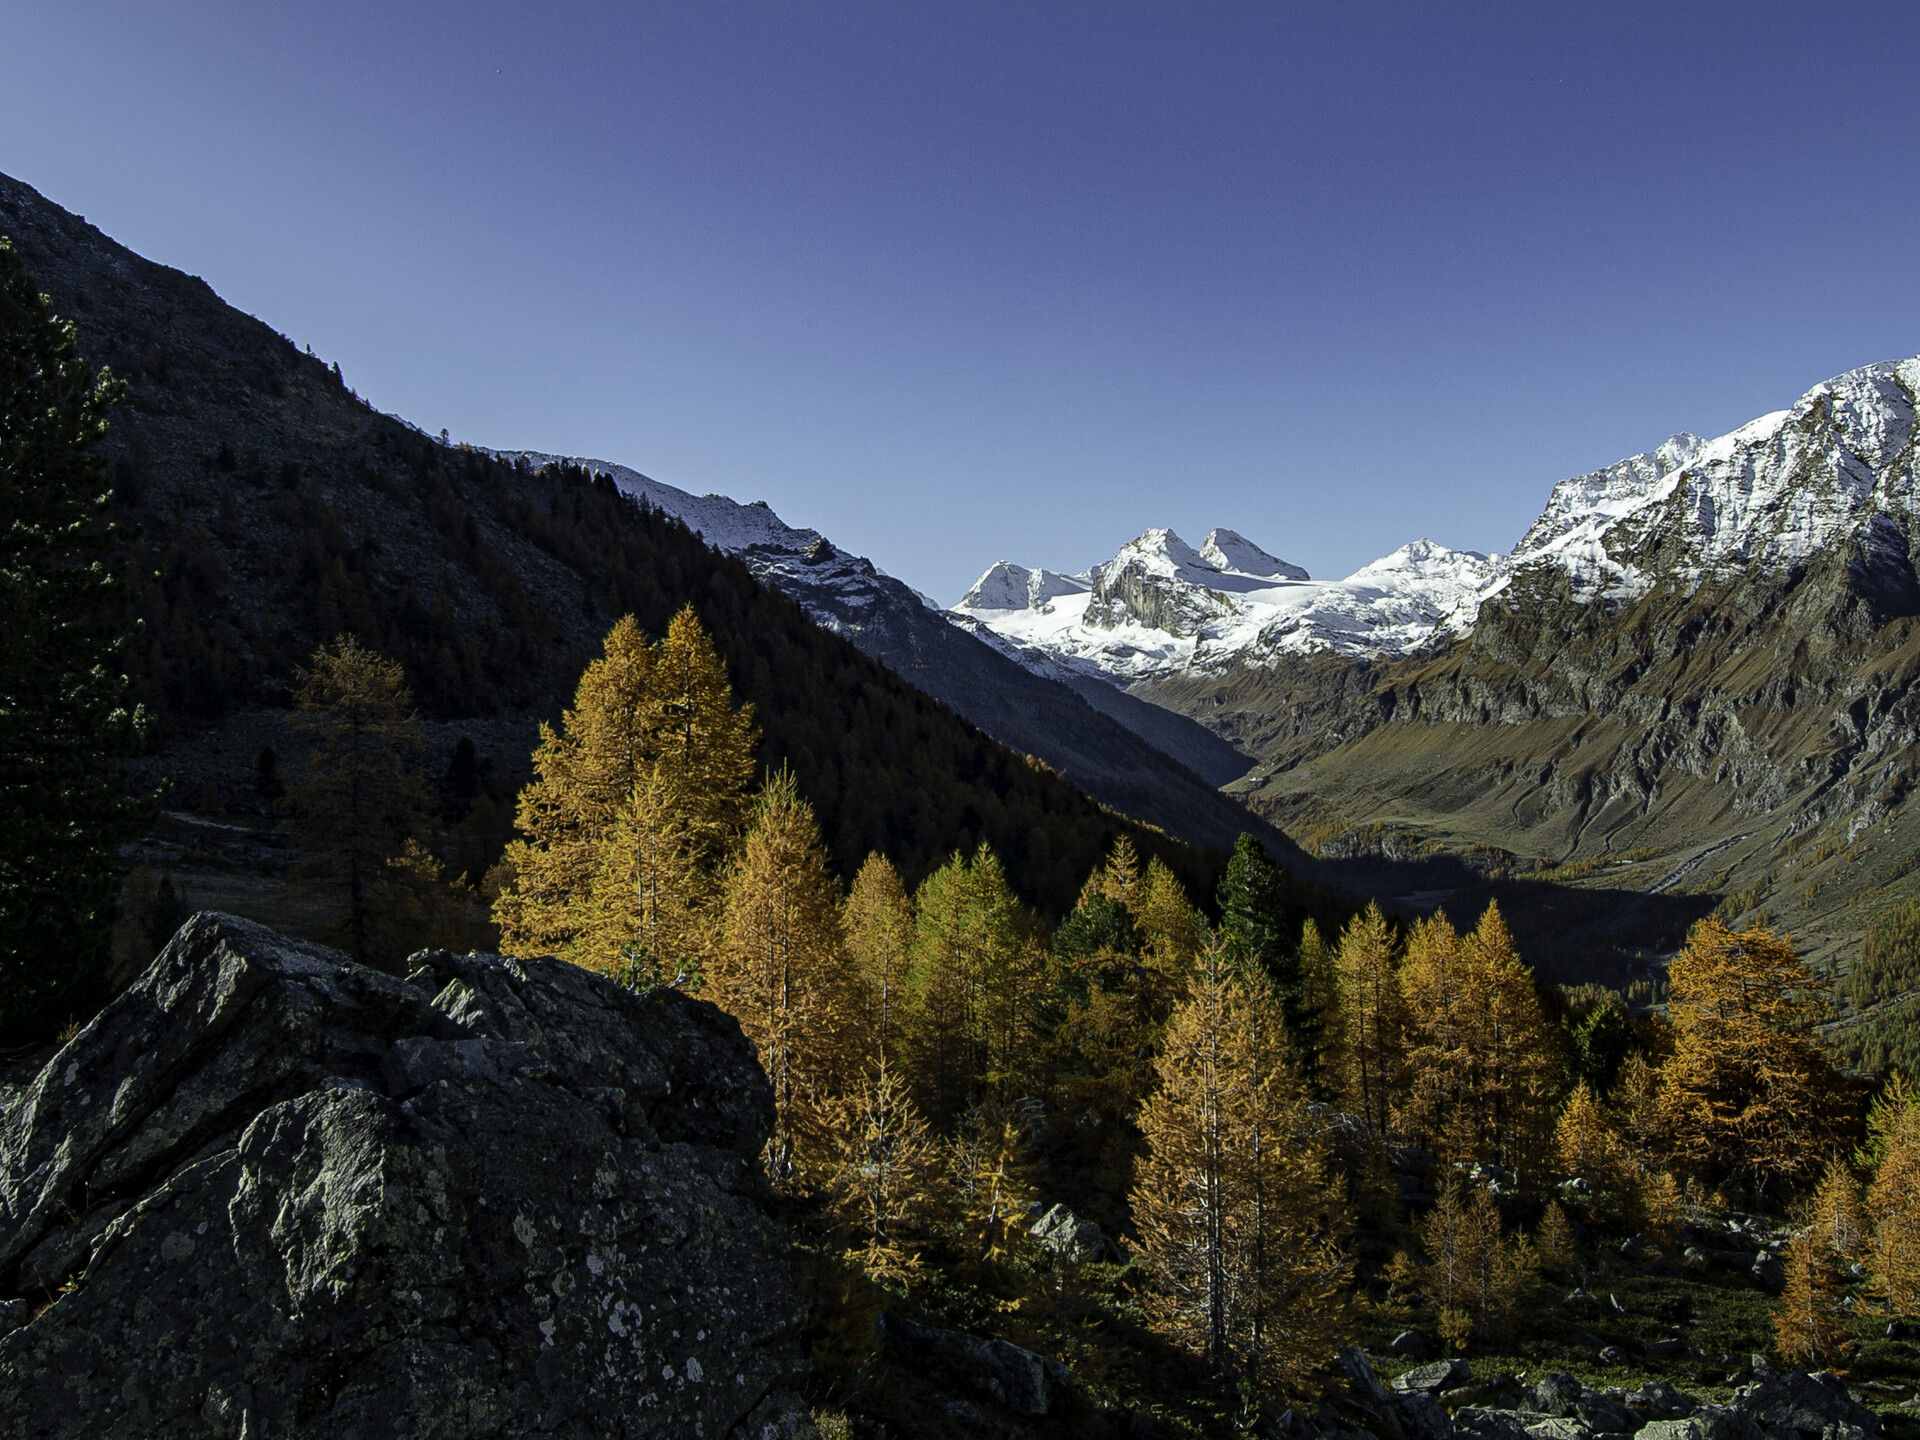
<point>1838,466</point>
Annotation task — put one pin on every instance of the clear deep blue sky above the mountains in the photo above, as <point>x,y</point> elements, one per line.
<point>959,283</point>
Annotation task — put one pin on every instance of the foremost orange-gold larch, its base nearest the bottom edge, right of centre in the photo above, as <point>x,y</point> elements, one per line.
<point>1239,1228</point>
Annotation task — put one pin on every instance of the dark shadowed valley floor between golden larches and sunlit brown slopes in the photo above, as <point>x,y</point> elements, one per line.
<point>1572,936</point>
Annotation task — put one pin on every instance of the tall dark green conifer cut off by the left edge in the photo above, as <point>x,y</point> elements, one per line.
<point>64,715</point>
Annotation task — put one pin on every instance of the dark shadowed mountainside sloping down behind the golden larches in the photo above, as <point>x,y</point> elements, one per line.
<point>279,510</point>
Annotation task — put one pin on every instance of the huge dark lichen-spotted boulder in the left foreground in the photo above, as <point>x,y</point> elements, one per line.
<point>272,1193</point>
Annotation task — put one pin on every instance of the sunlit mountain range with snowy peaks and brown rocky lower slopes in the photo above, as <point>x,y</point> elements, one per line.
<point>1692,675</point>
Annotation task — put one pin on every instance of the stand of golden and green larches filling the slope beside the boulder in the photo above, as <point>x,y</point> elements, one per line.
<point>1188,1157</point>
